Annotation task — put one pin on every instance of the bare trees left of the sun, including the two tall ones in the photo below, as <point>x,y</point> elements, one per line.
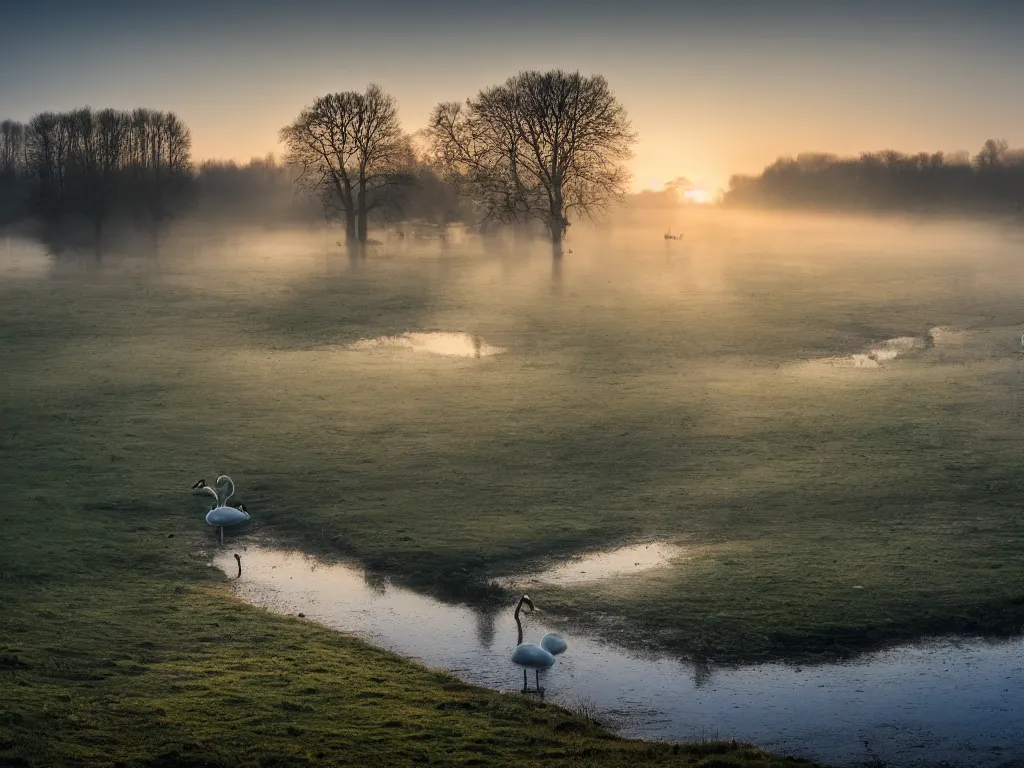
<point>537,150</point>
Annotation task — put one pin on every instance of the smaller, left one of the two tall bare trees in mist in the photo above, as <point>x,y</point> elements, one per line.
<point>351,153</point>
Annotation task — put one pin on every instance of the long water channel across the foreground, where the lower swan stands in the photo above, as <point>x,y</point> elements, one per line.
<point>962,703</point>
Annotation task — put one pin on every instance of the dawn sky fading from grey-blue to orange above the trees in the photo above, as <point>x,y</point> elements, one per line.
<point>713,89</point>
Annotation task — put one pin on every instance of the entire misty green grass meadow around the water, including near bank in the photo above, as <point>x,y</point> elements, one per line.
<point>657,391</point>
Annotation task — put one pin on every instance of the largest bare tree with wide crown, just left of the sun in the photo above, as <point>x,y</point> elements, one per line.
<point>540,147</point>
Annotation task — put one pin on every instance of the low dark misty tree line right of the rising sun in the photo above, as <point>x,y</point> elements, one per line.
<point>992,182</point>
